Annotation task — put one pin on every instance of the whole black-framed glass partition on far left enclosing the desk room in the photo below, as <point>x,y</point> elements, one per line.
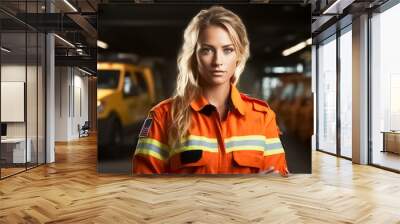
<point>22,64</point>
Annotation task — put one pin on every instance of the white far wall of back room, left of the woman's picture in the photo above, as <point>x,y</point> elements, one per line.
<point>71,94</point>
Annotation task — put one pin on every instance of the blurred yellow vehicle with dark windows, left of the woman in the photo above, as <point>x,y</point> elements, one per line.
<point>125,94</point>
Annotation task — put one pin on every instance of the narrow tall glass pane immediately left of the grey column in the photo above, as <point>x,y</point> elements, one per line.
<point>346,94</point>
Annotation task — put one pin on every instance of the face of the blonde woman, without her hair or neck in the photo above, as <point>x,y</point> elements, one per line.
<point>216,56</point>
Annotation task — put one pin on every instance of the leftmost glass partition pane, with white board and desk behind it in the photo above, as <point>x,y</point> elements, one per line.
<point>13,85</point>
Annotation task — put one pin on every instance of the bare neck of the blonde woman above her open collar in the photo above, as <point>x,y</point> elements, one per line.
<point>218,96</point>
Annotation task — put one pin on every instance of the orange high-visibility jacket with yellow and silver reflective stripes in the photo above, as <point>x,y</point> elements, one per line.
<point>247,141</point>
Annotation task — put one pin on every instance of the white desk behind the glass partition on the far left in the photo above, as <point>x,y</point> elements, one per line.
<point>13,150</point>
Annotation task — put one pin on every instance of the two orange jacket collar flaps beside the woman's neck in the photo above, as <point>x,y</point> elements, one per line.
<point>235,100</point>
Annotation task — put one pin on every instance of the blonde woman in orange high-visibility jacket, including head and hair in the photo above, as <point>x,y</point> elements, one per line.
<point>208,127</point>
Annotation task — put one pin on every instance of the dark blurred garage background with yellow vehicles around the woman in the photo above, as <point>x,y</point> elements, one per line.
<point>136,69</point>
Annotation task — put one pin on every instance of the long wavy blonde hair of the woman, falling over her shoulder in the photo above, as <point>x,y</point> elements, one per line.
<point>187,85</point>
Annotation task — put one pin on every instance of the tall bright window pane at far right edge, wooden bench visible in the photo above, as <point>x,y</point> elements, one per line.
<point>385,86</point>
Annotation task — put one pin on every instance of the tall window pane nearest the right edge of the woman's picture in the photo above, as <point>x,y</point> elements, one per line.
<point>327,96</point>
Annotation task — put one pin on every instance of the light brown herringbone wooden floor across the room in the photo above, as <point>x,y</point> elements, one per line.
<point>71,191</point>
